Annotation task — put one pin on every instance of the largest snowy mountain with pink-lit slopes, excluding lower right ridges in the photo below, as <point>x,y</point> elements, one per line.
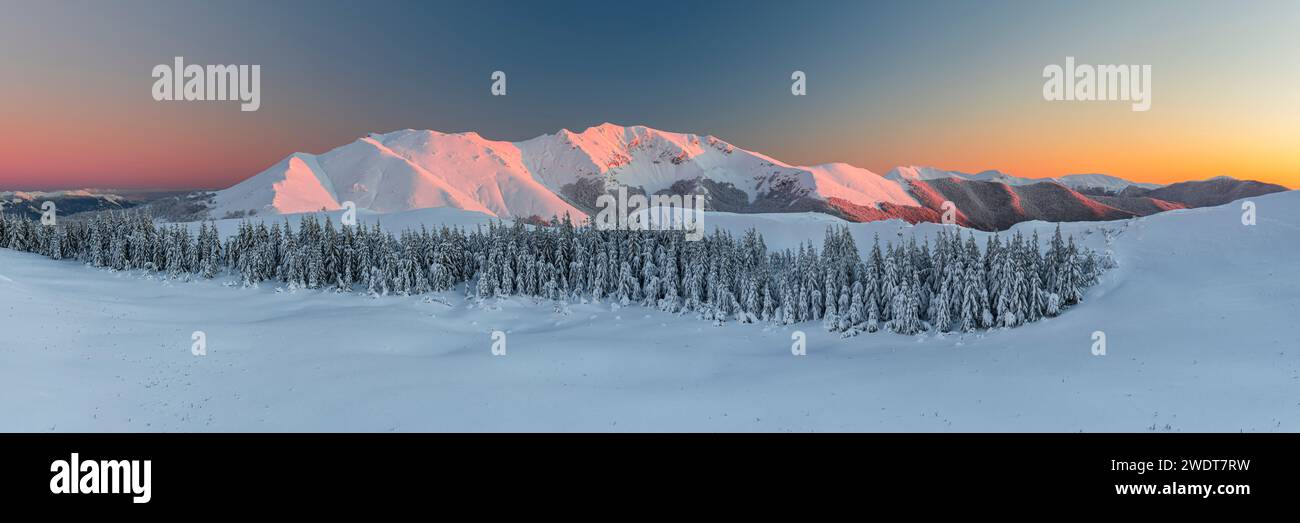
<point>548,176</point>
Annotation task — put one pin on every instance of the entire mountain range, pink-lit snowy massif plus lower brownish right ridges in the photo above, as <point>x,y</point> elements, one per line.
<point>562,174</point>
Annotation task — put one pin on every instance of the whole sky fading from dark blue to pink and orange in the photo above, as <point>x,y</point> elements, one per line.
<point>954,84</point>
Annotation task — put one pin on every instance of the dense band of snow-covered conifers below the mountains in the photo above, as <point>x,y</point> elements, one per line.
<point>946,283</point>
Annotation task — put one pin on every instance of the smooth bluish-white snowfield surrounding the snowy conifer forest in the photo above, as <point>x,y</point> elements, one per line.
<point>1198,317</point>
